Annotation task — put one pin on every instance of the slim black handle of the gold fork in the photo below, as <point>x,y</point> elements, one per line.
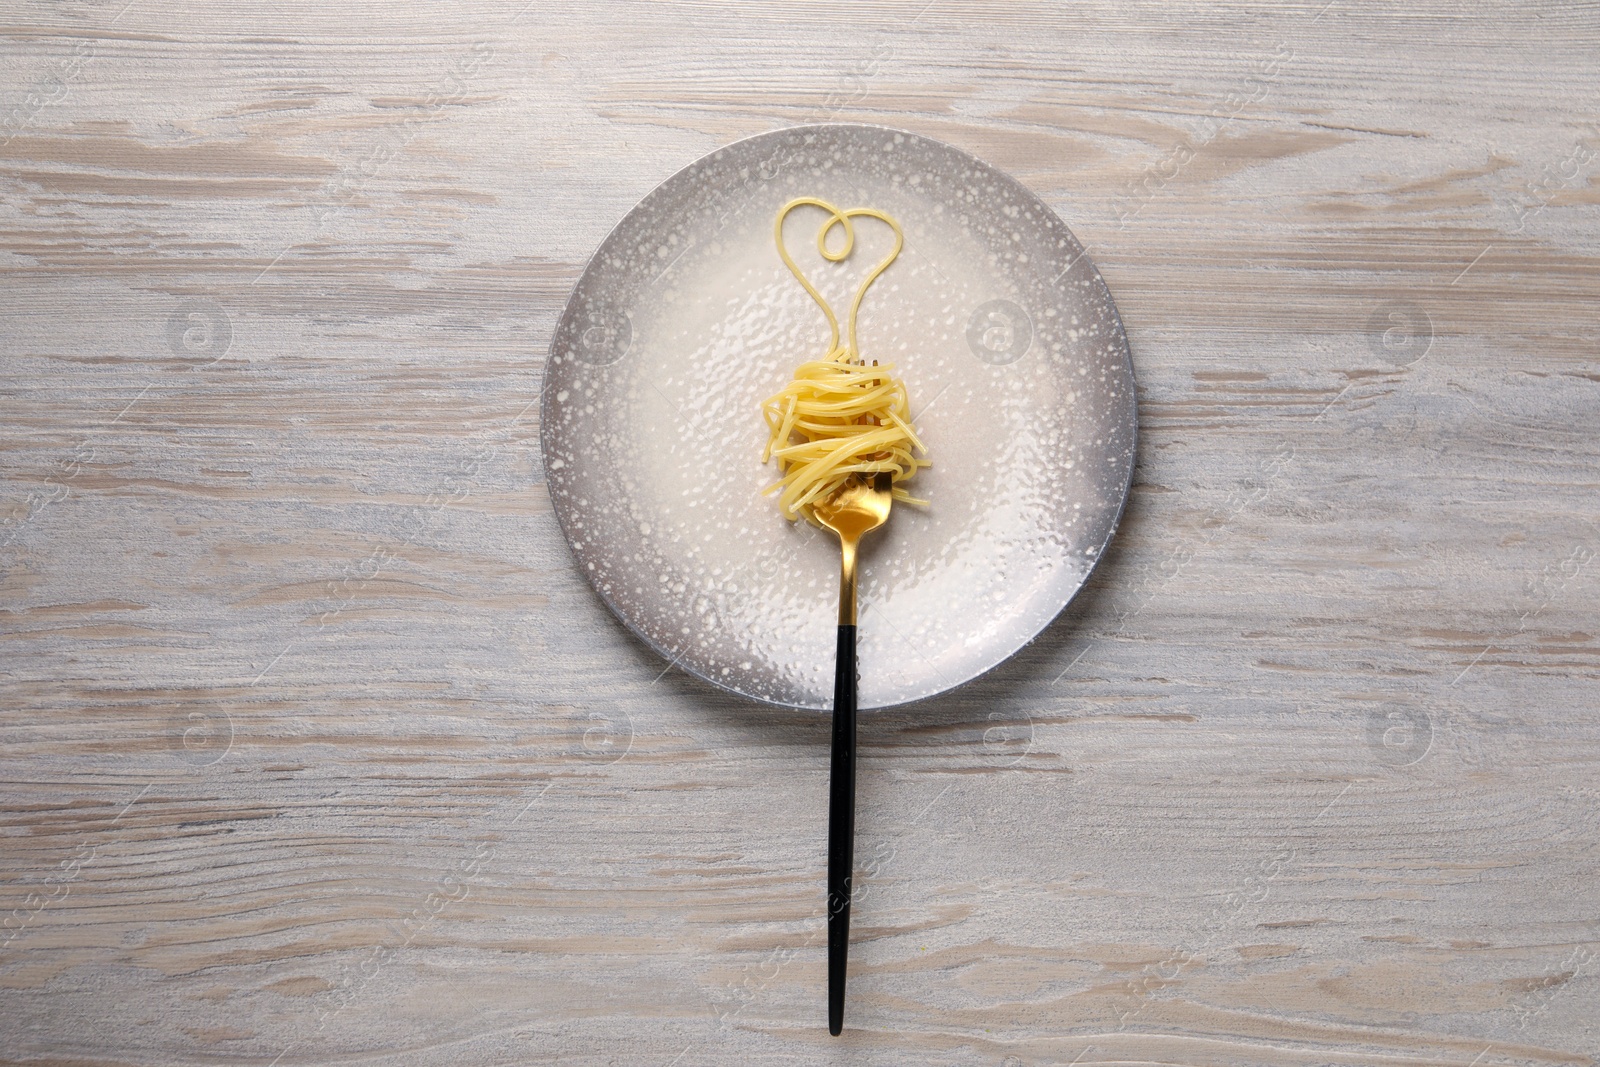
<point>841,825</point>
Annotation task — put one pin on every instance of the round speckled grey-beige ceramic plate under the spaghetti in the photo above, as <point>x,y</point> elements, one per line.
<point>686,321</point>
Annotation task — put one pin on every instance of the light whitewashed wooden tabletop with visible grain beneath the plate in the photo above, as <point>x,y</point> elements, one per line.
<point>318,749</point>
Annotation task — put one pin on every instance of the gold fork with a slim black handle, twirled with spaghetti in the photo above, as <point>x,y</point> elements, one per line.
<point>855,510</point>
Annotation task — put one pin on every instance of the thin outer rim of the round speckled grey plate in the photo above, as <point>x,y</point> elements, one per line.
<point>545,423</point>
